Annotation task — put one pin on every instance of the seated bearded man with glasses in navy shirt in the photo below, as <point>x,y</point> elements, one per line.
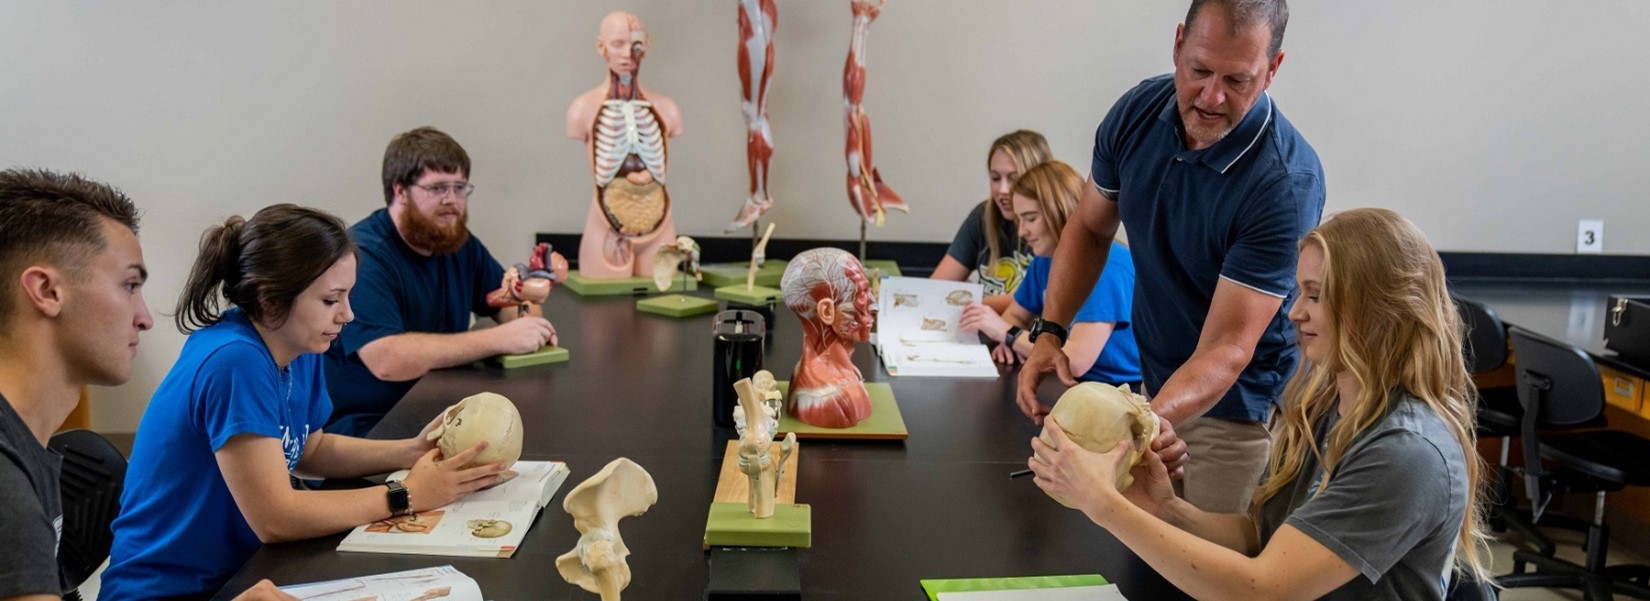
<point>422,275</point>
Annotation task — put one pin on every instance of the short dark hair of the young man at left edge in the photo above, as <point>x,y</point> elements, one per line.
<point>55,219</point>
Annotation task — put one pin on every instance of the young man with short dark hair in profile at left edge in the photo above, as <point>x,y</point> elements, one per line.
<point>72,308</point>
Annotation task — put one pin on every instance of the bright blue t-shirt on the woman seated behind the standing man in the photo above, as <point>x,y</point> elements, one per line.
<point>1110,303</point>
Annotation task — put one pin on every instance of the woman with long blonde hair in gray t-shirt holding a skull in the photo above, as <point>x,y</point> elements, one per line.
<point>1372,490</point>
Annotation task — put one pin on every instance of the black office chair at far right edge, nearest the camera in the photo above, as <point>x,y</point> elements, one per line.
<point>1560,386</point>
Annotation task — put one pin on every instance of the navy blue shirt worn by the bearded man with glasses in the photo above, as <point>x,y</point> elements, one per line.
<point>400,291</point>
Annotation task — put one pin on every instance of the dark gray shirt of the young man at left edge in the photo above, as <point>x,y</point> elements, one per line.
<point>31,511</point>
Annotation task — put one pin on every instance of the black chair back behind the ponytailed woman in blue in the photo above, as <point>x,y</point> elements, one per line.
<point>93,476</point>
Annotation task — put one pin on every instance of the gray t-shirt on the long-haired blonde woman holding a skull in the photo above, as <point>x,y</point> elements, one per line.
<point>1392,511</point>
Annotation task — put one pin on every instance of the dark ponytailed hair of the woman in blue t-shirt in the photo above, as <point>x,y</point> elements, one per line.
<point>260,265</point>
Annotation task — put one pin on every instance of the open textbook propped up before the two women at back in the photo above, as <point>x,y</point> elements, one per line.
<point>918,334</point>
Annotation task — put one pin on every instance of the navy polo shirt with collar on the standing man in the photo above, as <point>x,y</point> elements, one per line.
<point>1235,211</point>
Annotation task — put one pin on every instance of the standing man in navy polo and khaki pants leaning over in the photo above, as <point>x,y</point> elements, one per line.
<point>1215,189</point>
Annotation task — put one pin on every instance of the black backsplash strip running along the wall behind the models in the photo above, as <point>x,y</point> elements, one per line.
<point>920,258</point>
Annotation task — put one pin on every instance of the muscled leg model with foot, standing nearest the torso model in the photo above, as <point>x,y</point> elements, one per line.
<point>758,21</point>
